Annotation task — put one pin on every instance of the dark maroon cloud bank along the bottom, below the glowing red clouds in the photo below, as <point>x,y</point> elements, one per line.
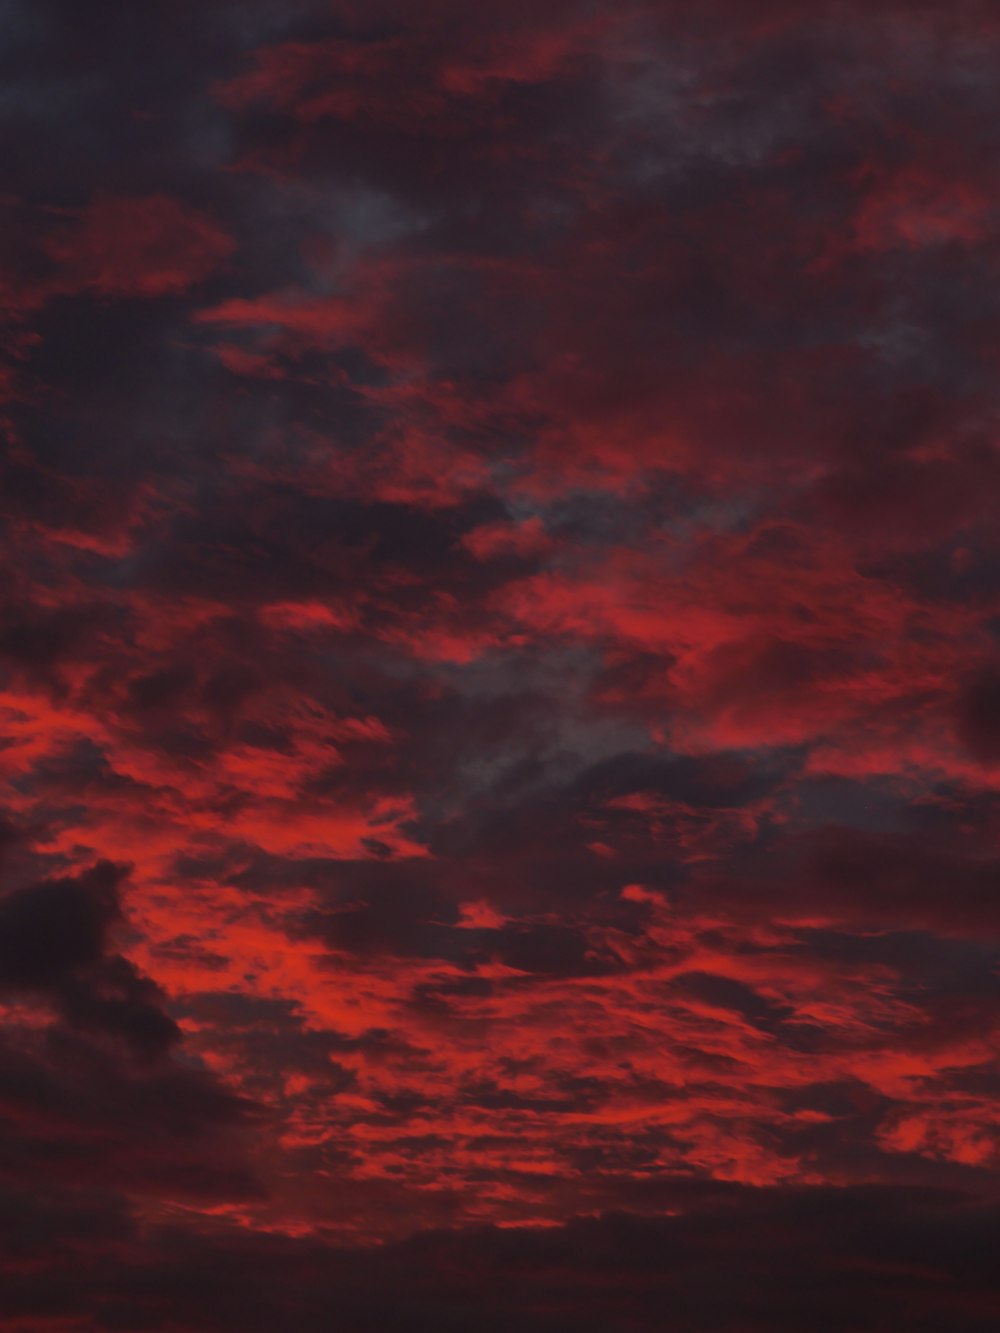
<point>813,1259</point>
